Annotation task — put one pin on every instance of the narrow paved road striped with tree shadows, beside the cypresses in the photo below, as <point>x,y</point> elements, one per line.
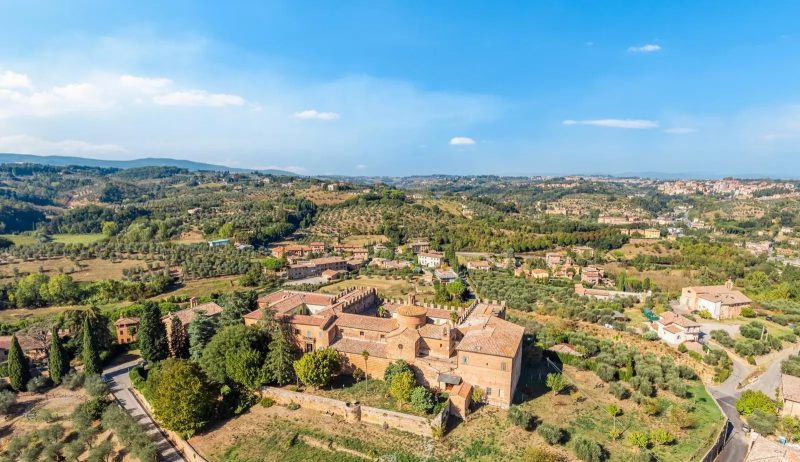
<point>120,385</point>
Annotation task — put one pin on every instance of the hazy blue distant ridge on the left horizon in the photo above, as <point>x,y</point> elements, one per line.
<point>146,162</point>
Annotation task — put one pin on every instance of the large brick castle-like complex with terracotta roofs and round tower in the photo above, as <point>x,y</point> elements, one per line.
<point>472,347</point>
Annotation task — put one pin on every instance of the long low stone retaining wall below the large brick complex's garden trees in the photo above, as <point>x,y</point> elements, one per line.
<point>353,412</point>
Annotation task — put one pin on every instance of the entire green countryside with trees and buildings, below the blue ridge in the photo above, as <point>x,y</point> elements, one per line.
<point>247,316</point>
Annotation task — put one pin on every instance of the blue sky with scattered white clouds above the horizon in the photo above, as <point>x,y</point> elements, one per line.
<point>414,87</point>
